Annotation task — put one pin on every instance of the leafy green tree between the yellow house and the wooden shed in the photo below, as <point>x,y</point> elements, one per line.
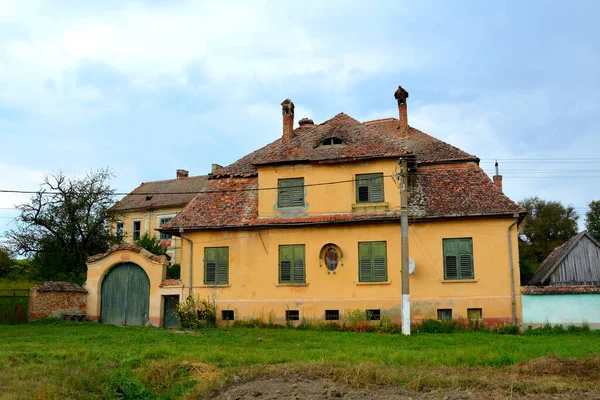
<point>548,225</point>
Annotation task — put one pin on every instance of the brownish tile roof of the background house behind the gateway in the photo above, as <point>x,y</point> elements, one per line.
<point>162,194</point>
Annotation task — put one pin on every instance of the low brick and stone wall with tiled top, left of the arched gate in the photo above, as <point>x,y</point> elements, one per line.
<point>55,299</point>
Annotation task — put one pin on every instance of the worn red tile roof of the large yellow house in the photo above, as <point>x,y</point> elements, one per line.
<point>448,182</point>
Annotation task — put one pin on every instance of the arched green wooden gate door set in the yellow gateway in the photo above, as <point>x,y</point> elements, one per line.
<point>125,296</point>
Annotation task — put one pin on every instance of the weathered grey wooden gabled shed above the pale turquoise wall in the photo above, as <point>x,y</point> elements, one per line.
<point>575,263</point>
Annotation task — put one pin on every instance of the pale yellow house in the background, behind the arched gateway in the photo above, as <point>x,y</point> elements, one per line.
<point>153,204</point>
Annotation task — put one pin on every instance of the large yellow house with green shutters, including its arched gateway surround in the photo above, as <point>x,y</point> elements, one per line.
<point>309,227</point>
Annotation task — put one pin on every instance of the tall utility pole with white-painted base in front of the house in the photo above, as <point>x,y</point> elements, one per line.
<point>404,246</point>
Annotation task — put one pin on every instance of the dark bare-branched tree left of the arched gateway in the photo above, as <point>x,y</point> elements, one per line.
<point>64,223</point>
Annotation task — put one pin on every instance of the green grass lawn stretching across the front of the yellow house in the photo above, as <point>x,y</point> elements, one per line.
<point>71,360</point>
